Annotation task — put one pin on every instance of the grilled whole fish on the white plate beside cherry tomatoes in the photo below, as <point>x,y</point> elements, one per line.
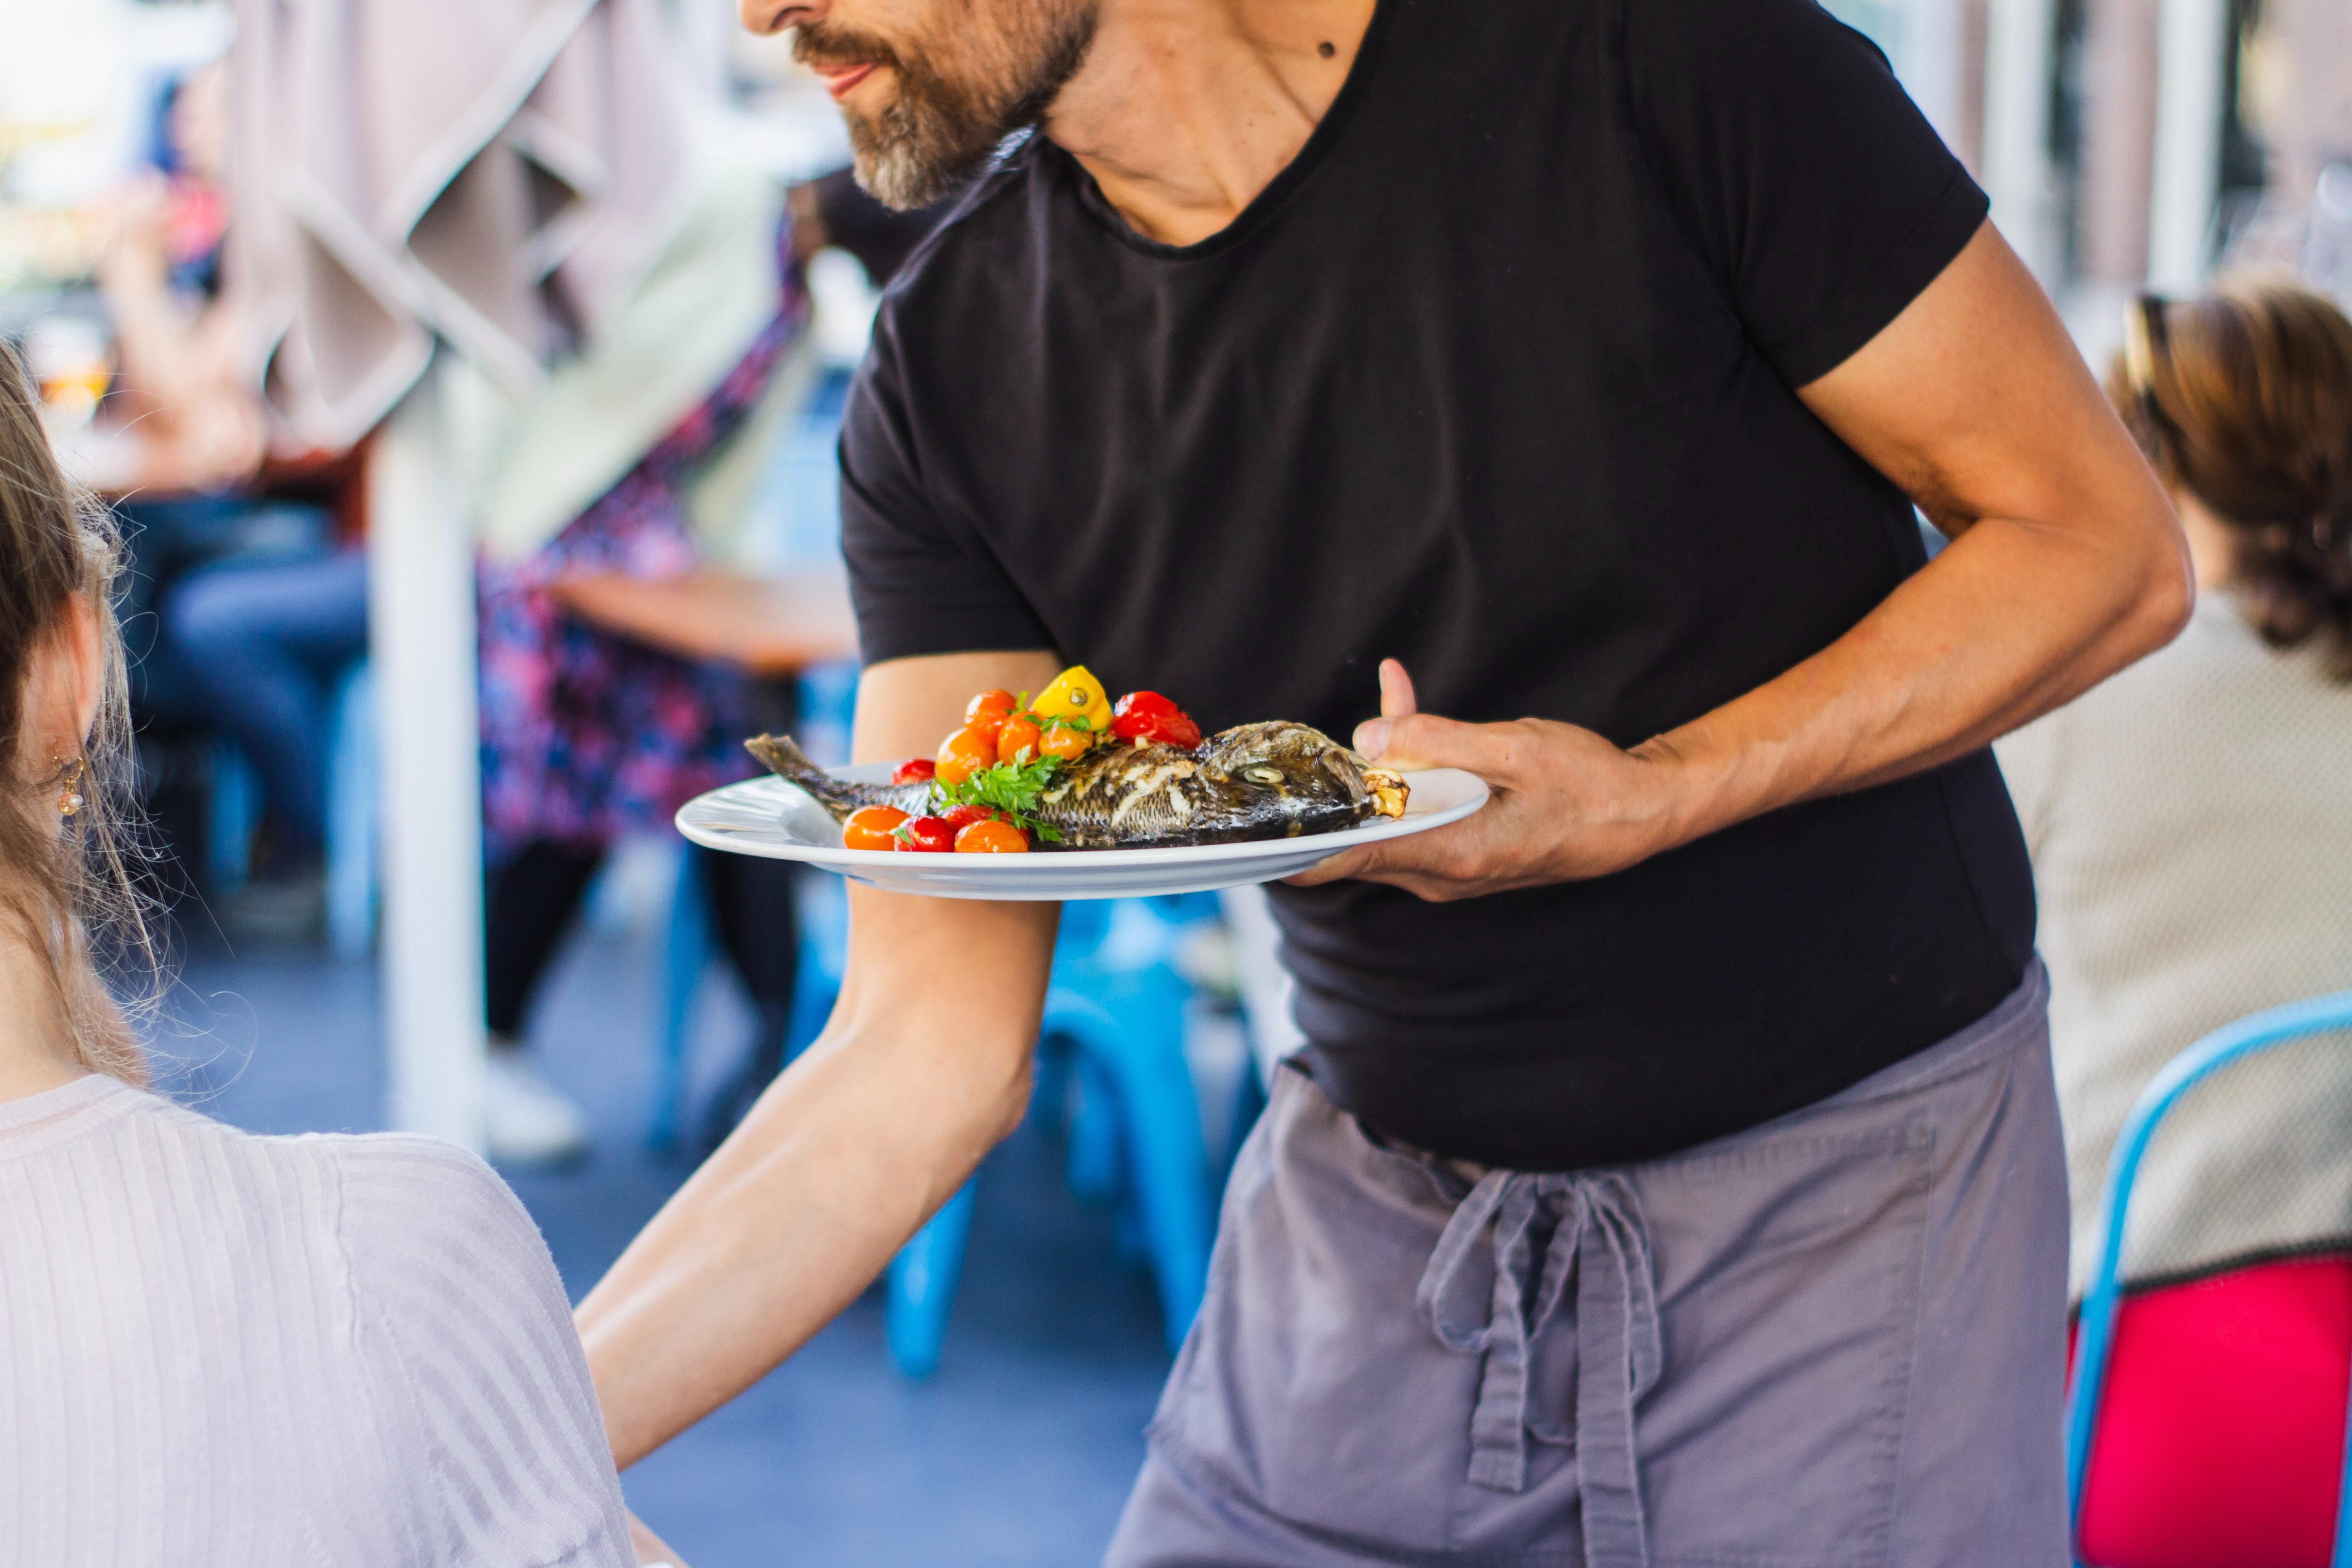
<point>1257,782</point>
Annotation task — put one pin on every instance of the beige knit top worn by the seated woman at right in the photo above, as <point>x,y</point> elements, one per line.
<point>2191,826</point>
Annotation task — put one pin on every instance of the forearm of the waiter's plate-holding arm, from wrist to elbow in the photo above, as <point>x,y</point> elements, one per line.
<point>2007,624</point>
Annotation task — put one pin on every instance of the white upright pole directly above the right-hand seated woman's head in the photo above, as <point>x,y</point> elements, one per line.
<point>2186,185</point>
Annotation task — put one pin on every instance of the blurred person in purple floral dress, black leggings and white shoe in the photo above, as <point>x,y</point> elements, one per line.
<point>589,732</point>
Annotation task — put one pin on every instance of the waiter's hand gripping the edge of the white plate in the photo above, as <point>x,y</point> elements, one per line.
<point>1565,803</point>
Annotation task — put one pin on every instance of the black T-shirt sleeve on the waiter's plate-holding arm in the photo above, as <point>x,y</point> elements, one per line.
<point>1798,168</point>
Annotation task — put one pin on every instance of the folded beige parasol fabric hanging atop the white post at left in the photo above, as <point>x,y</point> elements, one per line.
<point>493,173</point>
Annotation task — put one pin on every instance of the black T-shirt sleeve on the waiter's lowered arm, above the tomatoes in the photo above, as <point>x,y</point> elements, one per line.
<point>918,582</point>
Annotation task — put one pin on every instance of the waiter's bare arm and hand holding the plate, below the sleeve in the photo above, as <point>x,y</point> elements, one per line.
<point>2066,568</point>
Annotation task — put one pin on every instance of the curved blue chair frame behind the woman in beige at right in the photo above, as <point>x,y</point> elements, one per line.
<point>2104,1294</point>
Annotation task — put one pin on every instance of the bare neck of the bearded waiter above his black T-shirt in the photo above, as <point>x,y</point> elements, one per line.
<point>1189,109</point>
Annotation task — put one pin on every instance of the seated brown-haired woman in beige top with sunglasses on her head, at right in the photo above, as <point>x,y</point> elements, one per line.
<point>2191,822</point>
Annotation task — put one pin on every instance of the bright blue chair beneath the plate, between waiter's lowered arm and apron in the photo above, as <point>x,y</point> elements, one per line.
<point>1118,1005</point>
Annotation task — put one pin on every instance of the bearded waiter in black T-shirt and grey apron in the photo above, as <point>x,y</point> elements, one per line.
<point>1673,1170</point>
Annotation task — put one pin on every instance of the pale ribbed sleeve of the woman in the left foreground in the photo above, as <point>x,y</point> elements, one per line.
<point>481,1381</point>
